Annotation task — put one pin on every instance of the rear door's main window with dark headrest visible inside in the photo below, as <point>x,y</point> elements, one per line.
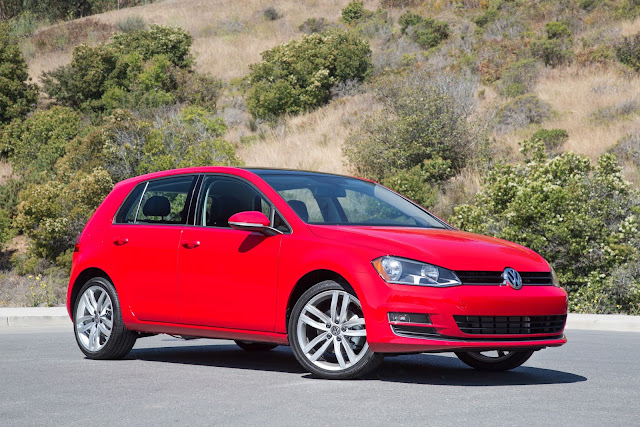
<point>166,201</point>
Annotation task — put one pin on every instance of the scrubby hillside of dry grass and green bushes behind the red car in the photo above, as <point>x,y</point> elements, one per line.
<point>452,92</point>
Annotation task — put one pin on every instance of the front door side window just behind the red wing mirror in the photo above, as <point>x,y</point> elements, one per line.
<point>221,197</point>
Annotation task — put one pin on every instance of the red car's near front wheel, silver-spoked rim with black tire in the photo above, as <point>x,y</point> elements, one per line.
<point>327,333</point>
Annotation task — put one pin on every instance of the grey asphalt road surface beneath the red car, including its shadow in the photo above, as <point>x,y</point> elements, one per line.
<point>45,380</point>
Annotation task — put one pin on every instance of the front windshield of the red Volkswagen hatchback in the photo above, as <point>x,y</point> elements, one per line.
<point>337,200</point>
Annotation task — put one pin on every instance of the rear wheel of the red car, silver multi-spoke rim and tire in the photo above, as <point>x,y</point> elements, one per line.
<point>97,322</point>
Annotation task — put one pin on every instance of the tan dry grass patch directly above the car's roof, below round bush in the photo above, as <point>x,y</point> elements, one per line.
<point>311,141</point>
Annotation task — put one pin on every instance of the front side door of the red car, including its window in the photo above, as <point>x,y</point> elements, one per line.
<point>227,278</point>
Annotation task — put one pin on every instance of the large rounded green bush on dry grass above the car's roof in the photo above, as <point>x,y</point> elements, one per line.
<point>297,76</point>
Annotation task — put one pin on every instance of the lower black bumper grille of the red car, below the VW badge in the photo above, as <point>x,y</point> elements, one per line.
<point>510,325</point>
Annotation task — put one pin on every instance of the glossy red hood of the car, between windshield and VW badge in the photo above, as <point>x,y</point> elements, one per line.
<point>452,249</point>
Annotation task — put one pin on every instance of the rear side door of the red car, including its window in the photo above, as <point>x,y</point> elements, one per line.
<point>145,238</point>
